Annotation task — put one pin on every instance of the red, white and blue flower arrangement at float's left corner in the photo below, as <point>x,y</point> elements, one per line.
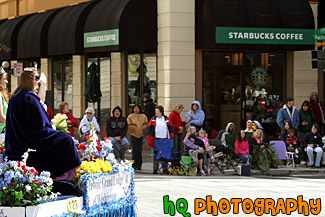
<point>21,185</point>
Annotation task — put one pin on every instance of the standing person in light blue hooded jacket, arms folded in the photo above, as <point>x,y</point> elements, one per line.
<point>195,116</point>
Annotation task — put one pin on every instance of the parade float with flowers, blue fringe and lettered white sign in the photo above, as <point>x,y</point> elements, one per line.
<point>107,186</point>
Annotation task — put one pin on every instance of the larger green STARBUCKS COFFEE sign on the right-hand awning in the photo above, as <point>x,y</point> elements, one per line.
<point>264,36</point>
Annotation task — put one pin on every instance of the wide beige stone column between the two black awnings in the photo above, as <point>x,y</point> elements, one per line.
<point>176,53</point>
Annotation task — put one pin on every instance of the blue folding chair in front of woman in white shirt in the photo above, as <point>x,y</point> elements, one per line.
<point>163,152</point>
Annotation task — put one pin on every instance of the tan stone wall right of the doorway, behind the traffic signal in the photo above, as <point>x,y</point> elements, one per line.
<point>305,78</point>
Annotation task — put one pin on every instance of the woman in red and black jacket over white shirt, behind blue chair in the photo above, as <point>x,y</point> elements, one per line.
<point>159,127</point>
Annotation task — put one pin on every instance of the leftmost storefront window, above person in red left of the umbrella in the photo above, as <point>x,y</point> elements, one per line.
<point>62,81</point>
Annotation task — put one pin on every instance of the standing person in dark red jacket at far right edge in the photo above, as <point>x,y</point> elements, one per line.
<point>317,107</point>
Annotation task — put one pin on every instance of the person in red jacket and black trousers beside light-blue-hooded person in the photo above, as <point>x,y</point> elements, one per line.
<point>176,120</point>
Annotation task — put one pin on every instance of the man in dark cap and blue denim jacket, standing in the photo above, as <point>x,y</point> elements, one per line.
<point>288,113</point>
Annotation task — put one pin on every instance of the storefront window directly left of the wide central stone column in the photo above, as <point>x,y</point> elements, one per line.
<point>137,86</point>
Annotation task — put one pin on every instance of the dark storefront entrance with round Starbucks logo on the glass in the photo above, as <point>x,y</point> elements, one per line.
<point>241,86</point>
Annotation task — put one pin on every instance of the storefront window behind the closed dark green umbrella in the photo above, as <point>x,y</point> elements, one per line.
<point>102,108</point>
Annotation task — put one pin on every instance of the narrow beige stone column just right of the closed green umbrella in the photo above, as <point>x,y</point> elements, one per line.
<point>116,80</point>
